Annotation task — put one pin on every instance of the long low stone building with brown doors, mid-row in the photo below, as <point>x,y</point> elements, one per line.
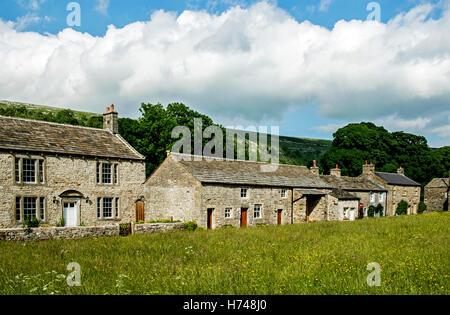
<point>220,192</point>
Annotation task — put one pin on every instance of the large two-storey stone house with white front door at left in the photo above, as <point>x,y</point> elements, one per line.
<point>52,171</point>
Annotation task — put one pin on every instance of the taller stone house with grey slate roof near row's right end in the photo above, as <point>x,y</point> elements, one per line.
<point>399,187</point>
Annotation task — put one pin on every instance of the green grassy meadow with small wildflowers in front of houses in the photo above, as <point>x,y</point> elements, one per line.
<point>319,258</point>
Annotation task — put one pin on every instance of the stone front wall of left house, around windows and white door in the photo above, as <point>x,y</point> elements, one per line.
<point>63,173</point>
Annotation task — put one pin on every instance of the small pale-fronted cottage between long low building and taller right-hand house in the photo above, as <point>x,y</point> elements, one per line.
<point>369,192</point>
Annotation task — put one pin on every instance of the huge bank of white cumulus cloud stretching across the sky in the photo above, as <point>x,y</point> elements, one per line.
<point>250,62</point>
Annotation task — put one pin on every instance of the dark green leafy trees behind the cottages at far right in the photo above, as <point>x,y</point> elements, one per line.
<point>356,143</point>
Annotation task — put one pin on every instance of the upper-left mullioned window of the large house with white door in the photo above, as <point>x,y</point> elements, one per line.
<point>29,170</point>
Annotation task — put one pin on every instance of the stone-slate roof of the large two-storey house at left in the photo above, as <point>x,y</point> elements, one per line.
<point>19,134</point>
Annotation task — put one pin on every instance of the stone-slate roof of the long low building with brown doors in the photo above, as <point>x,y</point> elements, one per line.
<point>224,171</point>
